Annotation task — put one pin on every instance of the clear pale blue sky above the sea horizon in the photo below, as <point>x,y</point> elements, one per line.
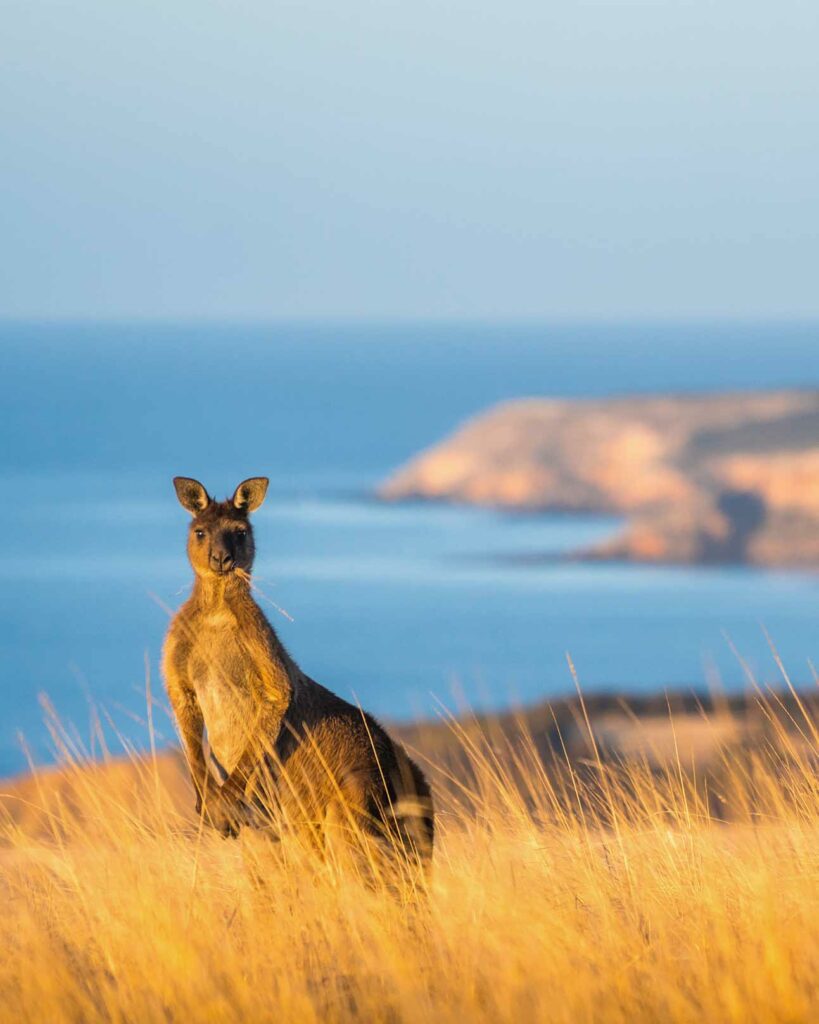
<point>375,159</point>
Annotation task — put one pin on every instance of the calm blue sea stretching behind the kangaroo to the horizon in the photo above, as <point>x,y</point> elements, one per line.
<point>401,608</point>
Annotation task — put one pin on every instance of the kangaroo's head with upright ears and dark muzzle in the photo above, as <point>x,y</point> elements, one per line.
<point>221,538</point>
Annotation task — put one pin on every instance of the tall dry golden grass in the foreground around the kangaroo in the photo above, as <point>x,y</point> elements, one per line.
<point>559,893</point>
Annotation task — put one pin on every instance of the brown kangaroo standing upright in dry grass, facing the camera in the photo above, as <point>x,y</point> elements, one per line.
<point>281,742</point>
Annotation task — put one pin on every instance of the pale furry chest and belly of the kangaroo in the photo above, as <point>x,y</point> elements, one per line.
<point>223,673</point>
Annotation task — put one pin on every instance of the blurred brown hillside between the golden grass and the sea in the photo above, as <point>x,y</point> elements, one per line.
<point>652,731</point>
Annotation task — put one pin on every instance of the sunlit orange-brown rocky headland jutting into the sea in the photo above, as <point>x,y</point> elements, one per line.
<point>718,479</point>
